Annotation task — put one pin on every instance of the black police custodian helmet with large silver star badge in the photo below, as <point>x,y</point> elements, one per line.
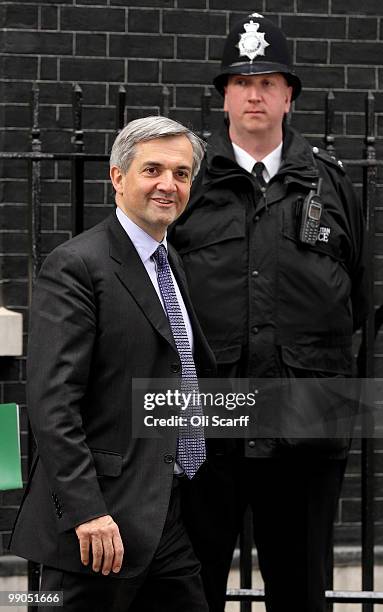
<point>255,45</point>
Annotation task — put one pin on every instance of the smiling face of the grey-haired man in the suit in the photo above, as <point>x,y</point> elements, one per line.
<point>156,188</point>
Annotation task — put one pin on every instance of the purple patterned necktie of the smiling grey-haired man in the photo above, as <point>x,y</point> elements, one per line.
<point>191,450</point>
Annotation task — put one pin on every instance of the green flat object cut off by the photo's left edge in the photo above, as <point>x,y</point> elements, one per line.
<point>10,461</point>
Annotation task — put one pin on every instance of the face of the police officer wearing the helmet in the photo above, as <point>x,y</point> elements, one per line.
<point>256,104</point>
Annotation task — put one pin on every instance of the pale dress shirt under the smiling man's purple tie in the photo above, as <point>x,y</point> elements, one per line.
<point>145,246</point>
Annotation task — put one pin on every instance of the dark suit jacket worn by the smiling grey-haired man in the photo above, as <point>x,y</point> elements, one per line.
<point>96,323</point>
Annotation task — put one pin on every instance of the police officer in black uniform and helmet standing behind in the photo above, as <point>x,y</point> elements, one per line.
<point>272,242</point>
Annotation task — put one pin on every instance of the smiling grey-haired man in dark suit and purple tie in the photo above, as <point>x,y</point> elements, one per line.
<point>101,504</point>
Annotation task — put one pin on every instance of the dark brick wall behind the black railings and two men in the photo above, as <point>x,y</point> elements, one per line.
<point>144,45</point>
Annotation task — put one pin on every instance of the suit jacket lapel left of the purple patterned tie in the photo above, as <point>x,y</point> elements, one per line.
<point>132,273</point>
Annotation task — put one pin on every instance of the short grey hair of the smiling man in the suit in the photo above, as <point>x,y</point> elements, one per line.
<point>149,128</point>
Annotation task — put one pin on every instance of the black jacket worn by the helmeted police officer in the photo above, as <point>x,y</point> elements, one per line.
<point>266,301</point>
